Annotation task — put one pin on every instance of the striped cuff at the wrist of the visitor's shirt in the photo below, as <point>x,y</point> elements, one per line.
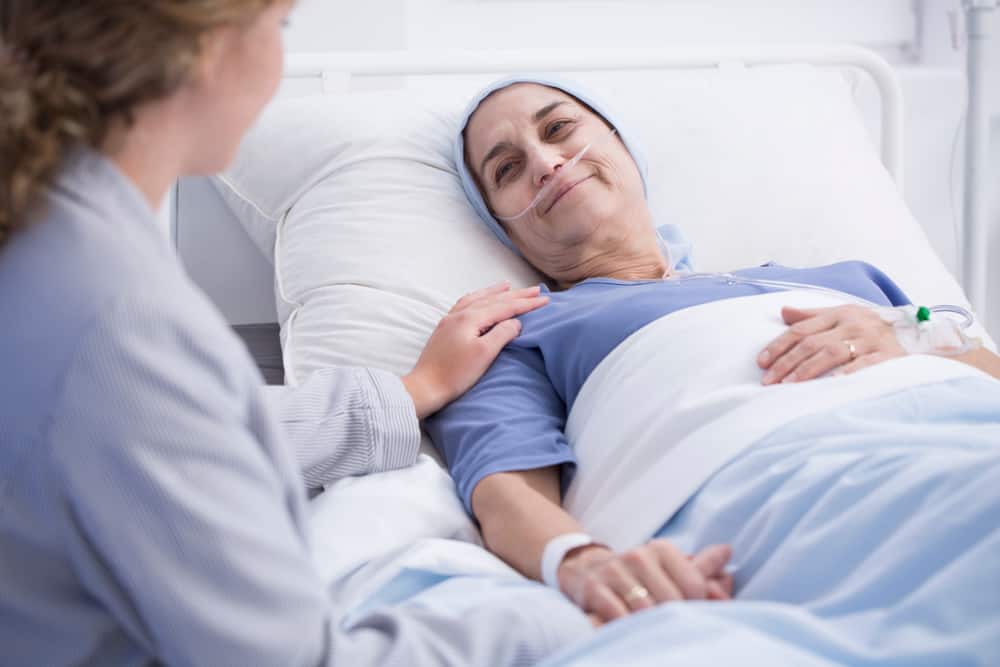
<point>394,425</point>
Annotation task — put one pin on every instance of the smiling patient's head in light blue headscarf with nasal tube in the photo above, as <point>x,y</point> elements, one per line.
<point>520,138</point>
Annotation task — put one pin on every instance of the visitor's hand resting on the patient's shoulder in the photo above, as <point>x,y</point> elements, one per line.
<point>465,343</point>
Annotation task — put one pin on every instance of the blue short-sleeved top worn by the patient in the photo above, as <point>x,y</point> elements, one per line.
<point>513,419</point>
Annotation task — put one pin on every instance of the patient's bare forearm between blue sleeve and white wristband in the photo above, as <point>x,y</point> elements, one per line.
<point>519,512</point>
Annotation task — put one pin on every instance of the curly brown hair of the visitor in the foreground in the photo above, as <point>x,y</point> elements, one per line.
<point>70,70</point>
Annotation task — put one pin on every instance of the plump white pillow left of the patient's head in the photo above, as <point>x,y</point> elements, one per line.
<point>379,240</point>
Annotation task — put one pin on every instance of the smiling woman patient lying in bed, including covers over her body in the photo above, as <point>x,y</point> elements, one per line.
<point>699,416</point>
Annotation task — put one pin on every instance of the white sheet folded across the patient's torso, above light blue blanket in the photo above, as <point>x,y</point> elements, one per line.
<point>683,396</point>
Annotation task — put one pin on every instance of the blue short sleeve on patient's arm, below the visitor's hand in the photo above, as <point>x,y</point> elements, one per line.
<point>513,419</point>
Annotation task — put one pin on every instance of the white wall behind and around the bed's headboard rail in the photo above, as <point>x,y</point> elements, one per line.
<point>914,35</point>
